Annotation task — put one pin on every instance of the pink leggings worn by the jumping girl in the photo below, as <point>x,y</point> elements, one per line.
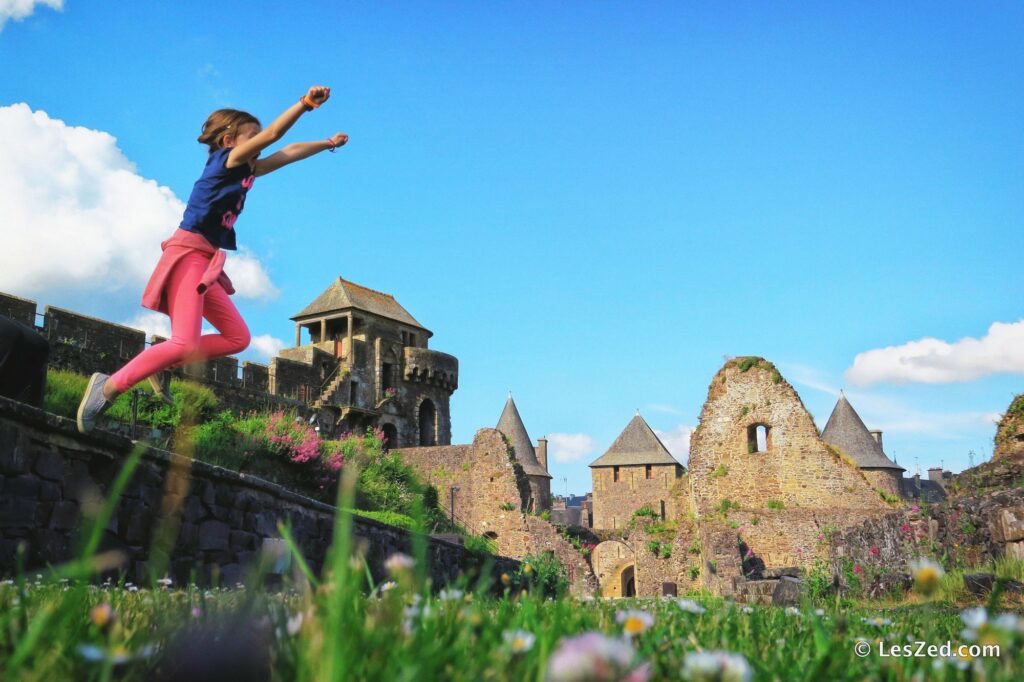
<point>188,308</point>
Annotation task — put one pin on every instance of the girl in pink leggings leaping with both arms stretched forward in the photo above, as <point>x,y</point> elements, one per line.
<point>189,283</point>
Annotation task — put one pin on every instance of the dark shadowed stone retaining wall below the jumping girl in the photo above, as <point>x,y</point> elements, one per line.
<point>225,521</point>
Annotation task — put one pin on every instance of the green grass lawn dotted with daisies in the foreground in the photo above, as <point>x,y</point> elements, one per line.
<point>93,632</point>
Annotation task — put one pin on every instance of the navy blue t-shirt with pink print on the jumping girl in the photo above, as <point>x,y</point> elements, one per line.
<point>218,200</point>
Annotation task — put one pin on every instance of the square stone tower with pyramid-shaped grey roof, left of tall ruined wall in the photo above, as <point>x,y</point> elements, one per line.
<point>635,473</point>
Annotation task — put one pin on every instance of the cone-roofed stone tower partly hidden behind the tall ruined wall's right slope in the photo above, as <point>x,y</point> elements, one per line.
<point>846,432</point>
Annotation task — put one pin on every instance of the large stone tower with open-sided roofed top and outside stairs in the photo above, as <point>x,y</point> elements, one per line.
<point>376,368</point>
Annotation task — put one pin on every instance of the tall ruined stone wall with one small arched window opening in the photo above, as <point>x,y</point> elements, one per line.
<point>795,488</point>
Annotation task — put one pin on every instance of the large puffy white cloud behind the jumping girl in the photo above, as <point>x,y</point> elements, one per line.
<point>78,218</point>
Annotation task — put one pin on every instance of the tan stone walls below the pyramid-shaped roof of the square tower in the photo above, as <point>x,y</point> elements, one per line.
<point>615,501</point>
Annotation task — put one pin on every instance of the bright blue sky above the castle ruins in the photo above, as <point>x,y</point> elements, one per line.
<point>592,204</point>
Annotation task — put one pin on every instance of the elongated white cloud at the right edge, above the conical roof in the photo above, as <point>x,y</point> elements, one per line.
<point>935,362</point>
